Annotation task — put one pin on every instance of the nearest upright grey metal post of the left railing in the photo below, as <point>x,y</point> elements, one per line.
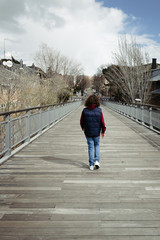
<point>8,135</point>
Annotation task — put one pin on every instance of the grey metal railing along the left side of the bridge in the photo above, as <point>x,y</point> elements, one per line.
<point>17,132</point>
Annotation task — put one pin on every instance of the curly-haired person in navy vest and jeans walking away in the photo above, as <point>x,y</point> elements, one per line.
<point>92,123</point>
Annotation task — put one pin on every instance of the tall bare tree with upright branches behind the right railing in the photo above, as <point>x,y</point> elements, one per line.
<point>132,72</point>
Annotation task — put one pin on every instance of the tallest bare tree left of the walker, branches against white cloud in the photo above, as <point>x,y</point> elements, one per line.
<point>59,67</point>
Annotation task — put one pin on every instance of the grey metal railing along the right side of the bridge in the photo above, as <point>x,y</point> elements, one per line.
<point>144,115</point>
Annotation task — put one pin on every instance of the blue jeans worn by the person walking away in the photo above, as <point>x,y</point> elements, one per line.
<point>93,149</point>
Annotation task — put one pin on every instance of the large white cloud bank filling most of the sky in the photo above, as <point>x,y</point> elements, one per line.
<point>82,30</point>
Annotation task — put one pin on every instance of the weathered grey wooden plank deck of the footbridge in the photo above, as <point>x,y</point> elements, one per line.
<point>47,191</point>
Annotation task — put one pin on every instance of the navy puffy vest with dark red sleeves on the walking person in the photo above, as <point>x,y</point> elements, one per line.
<point>92,121</point>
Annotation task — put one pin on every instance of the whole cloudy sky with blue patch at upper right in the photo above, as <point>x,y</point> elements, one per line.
<point>86,31</point>
